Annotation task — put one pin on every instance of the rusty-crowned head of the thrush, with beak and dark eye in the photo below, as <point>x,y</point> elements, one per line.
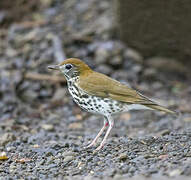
<point>72,68</point>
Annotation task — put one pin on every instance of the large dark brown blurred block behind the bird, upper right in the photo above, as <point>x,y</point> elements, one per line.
<point>157,27</point>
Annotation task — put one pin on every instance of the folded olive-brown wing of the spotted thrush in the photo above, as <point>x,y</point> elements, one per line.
<point>101,85</point>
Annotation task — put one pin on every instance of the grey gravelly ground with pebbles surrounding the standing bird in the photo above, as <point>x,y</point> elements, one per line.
<point>43,133</point>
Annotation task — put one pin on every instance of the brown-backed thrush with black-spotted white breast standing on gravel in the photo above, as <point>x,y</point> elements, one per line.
<point>99,94</point>
